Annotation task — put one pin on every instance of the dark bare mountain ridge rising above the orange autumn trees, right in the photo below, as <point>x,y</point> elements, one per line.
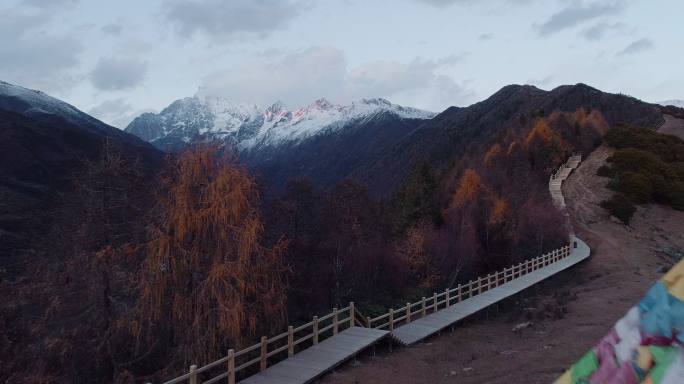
<point>457,132</point>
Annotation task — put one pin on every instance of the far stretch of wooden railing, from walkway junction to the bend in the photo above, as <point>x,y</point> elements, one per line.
<point>448,297</point>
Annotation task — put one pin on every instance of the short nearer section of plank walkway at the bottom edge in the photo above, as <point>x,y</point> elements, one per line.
<point>316,360</point>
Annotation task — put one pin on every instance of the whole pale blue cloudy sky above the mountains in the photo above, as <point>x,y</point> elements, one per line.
<point>117,59</point>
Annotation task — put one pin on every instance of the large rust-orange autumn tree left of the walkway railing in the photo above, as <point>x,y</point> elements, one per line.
<point>207,283</point>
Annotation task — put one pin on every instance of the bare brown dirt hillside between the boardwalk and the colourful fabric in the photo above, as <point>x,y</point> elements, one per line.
<point>567,314</point>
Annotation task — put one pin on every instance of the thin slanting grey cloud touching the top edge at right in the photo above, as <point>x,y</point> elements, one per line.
<point>577,13</point>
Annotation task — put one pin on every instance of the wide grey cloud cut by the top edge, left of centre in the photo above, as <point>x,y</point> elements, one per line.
<point>218,18</point>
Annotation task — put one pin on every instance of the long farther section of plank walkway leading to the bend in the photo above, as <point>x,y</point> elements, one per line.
<point>420,329</point>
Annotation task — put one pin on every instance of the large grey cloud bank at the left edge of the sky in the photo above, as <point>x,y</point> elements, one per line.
<point>31,57</point>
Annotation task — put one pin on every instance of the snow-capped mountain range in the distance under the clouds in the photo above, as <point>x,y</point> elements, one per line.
<point>248,126</point>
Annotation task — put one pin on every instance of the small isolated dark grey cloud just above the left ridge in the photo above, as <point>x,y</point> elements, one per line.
<point>115,74</point>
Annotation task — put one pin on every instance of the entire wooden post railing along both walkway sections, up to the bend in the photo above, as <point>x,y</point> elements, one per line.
<point>258,356</point>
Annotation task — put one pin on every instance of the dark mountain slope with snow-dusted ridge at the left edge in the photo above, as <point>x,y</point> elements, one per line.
<point>43,143</point>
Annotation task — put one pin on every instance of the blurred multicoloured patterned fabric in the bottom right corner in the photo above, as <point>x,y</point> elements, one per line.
<point>645,346</point>
